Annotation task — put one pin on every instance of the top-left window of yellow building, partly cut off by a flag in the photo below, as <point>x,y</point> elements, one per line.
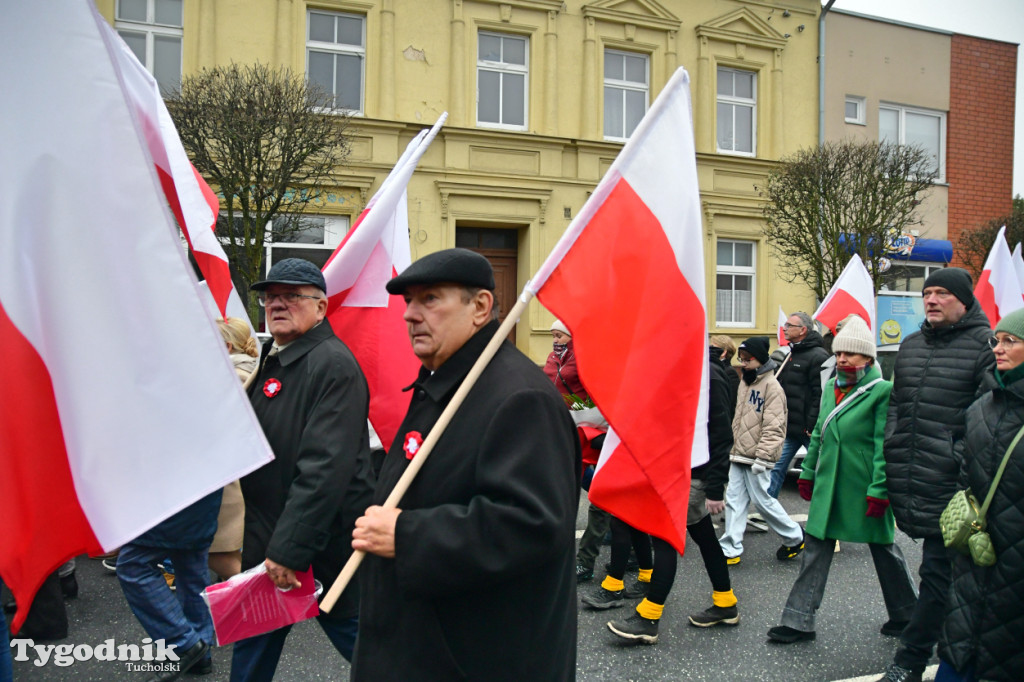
<point>153,29</point>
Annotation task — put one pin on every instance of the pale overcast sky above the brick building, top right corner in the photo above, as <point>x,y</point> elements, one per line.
<point>1002,20</point>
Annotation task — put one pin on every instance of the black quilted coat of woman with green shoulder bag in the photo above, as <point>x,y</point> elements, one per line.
<point>986,622</point>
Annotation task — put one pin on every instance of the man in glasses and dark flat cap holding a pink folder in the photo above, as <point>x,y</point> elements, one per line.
<point>312,400</point>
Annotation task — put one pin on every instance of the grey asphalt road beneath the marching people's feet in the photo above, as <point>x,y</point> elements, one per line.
<point>848,645</point>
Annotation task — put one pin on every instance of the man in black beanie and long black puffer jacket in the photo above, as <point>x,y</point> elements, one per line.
<point>938,374</point>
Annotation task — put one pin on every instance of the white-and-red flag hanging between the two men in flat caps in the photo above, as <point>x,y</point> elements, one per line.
<point>360,310</point>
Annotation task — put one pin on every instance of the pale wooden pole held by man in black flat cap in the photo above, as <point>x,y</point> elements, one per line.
<point>429,445</point>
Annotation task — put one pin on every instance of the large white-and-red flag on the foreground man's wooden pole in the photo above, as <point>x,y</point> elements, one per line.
<point>639,320</point>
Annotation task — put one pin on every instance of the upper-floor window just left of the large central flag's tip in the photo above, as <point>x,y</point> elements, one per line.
<point>626,93</point>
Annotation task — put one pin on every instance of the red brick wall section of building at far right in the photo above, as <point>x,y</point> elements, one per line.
<point>980,133</point>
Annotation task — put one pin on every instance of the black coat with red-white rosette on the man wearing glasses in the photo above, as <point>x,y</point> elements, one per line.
<point>302,507</point>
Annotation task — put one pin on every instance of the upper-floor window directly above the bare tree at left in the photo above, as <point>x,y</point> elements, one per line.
<point>336,57</point>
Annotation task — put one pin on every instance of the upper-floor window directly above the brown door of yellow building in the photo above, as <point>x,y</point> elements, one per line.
<point>502,71</point>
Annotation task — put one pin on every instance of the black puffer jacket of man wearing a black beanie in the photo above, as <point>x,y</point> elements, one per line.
<point>938,374</point>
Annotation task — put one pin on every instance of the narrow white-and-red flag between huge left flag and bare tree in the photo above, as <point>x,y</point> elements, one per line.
<point>193,202</point>
